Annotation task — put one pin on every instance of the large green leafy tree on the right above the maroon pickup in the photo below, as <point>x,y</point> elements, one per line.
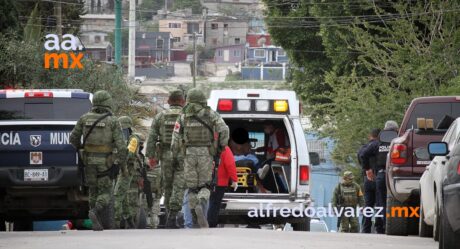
<point>359,63</point>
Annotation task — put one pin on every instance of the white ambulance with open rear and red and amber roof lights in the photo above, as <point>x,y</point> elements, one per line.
<point>285,197</point>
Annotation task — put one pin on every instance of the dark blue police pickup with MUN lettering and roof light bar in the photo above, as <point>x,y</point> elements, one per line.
<point>39,178</point>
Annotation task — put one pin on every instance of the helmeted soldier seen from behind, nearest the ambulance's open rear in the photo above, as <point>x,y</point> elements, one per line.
<point>202,134</point>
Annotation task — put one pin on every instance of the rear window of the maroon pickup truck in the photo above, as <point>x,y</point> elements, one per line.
<point>435,111</point>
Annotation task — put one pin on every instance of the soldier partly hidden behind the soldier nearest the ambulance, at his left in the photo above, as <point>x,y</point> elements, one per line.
<point>159,148</point>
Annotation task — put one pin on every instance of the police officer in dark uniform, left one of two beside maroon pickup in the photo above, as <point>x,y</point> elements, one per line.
<point>367,157</point>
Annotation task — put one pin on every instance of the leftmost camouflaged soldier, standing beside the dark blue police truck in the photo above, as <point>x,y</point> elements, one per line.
<point>104,147</point>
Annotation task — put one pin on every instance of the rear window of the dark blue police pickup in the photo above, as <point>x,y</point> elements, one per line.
<point>43,109</point>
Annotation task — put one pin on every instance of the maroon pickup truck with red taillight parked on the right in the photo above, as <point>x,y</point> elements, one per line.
<point>408,158</point>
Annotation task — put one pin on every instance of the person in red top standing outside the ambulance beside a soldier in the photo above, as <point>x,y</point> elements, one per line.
<point>226,172</point>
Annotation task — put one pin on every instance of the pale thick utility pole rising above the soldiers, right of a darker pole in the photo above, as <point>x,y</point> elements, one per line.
<point>132,40</point>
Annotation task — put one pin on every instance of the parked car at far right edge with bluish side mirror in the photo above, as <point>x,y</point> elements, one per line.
<point>449,215</point>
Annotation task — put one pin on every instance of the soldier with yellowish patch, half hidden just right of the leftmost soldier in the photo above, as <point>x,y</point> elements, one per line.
<point>126,196</point>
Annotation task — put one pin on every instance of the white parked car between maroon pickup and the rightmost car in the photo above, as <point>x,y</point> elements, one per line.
<point>430,186</point>
